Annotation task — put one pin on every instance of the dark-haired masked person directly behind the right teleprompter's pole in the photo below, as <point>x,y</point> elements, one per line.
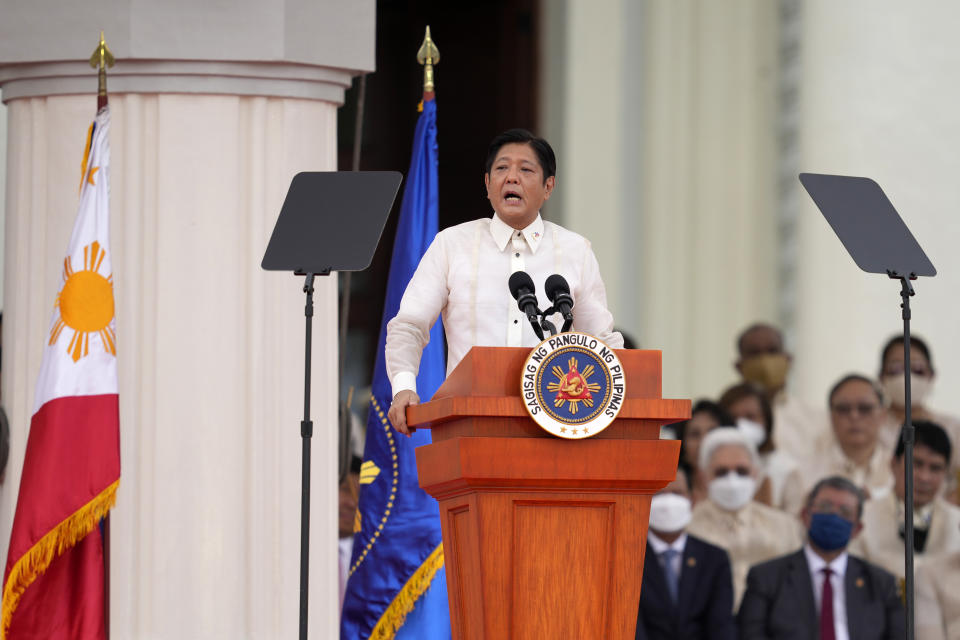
<point>921,383</point>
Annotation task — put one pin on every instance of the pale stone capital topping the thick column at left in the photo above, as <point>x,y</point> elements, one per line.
<point>276,48</point>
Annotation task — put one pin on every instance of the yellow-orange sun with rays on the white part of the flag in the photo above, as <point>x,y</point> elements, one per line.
<point>85,304</point>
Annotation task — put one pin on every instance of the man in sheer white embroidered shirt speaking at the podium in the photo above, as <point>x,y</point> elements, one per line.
<point>464,273</point>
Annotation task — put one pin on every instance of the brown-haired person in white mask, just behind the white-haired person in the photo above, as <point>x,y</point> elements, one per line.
<point>754,415</point>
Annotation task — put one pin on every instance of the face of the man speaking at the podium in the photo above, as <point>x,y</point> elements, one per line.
<point>515,185</point>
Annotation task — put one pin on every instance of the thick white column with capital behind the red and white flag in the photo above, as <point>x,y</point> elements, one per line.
<point>205,534</point>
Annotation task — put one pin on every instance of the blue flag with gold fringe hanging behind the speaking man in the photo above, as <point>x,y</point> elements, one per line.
<point>396,586</point>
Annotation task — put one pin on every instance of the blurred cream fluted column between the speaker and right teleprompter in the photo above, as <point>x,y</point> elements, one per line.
<point>709,239</point>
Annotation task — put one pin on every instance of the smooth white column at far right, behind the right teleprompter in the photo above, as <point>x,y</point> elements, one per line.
<point>877,100</point>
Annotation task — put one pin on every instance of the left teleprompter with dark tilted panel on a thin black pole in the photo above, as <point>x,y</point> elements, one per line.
<point>329,222</point>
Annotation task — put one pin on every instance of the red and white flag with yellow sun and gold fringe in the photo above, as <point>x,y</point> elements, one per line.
<point>54,579</point>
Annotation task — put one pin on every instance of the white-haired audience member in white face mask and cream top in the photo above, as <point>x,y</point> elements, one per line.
<point>730,518</point>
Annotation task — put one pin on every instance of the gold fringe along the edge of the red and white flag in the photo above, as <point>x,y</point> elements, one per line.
<point>38,557</point>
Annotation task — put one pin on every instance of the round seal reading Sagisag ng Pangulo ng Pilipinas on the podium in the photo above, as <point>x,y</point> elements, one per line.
<point>572,385</point>
